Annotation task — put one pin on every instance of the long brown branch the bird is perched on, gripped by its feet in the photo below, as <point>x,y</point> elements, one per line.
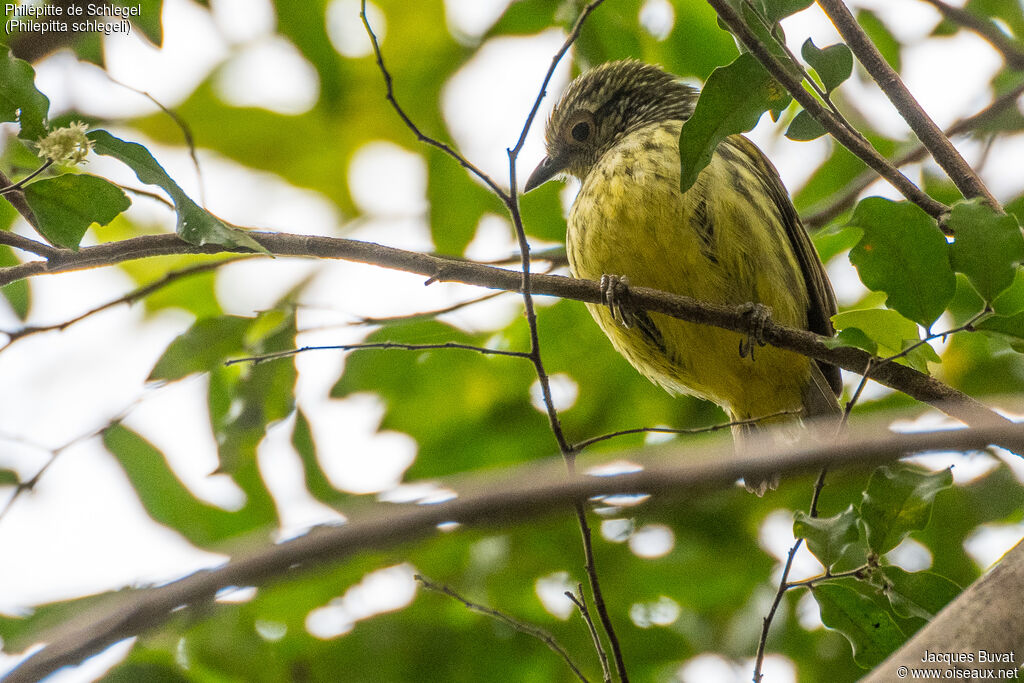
<point>438,269</point>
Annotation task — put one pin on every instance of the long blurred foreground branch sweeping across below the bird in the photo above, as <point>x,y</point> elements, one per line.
<point>528,492</point>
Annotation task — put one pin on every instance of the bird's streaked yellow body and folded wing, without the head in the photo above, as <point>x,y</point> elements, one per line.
<point>721,242</point>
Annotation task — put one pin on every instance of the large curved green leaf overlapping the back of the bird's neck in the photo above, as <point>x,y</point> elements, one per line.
<point>733,102</point>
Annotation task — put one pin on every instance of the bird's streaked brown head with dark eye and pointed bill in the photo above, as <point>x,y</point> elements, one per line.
<point>602,107</point>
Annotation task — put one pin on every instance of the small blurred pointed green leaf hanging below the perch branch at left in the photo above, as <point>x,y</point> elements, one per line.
<point>203,348</point>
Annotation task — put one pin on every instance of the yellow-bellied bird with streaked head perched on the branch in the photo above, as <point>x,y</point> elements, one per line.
<point>734,239</point>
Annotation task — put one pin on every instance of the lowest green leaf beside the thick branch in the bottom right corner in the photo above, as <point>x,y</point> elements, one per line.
<point>870,629</point>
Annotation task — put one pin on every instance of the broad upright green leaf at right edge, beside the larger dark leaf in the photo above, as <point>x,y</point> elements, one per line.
<point>988,247</point>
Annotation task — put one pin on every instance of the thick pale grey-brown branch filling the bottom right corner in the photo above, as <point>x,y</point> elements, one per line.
<point>986,617</point>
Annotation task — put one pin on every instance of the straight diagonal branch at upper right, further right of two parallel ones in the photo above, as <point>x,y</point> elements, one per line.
<point>927,132</point>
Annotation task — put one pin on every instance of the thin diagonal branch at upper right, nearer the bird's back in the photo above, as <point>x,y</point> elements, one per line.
<point>845,136</point>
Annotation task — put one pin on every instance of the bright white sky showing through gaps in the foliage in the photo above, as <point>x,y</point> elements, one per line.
<point>63,387</point>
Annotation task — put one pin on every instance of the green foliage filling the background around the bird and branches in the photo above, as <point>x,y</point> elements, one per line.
<point>470,412</point>
